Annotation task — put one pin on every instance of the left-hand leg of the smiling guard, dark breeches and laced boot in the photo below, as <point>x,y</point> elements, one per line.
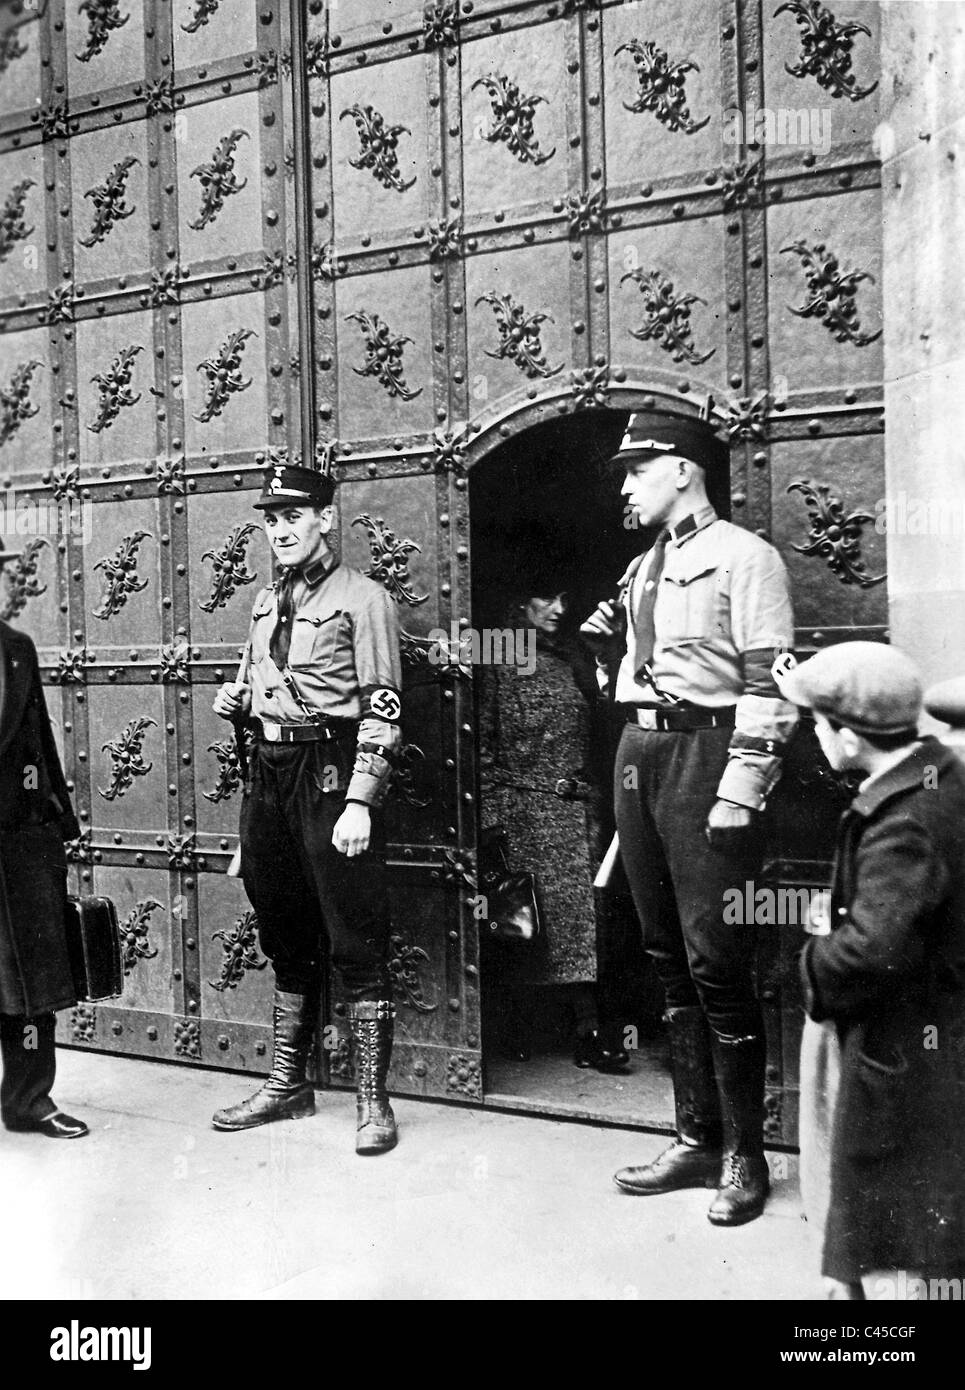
<point>290,932</point>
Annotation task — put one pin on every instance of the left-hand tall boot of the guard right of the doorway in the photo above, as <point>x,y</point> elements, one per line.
<point>695,1157</point>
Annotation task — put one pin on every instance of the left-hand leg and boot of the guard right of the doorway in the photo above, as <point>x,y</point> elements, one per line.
<point>695,1160</point>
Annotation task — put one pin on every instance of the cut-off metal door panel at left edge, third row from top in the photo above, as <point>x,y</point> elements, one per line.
<point>27,427</point>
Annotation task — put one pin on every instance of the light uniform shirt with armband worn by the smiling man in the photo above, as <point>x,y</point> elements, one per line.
<point>344,664</point>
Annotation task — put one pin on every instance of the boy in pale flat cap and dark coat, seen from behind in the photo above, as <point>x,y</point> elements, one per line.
<point>888,970</point>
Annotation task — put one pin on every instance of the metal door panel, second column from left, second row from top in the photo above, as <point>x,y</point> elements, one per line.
<point>116,226</point>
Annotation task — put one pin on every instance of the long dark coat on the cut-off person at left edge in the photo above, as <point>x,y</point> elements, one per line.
<point>35,821</point>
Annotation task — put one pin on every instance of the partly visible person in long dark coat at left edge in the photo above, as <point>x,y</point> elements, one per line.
<point>35,821</point>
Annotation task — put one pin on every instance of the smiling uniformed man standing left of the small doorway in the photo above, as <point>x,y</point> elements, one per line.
<point>322,689</point>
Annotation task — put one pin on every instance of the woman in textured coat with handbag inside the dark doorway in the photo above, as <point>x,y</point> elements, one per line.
<point>542,785</point>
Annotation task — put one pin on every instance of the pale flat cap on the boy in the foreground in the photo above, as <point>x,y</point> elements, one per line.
<point>868,687</point>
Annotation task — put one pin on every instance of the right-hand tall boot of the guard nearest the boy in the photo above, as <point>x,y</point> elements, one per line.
<point>745,1178</point>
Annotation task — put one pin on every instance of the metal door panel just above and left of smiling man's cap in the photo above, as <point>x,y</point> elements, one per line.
<point>230,337</point>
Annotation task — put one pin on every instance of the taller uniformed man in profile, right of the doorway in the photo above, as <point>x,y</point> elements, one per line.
<point>700,619</point>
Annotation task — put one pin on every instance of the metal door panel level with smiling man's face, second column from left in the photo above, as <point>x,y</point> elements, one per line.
<point>124,611</point>
